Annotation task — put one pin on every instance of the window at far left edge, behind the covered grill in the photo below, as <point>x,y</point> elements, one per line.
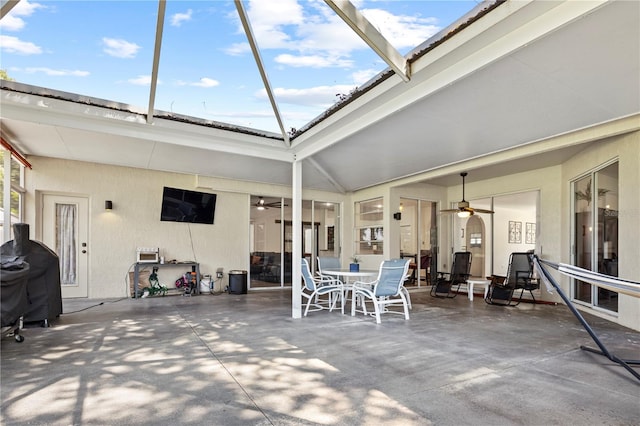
<point>15,193</point>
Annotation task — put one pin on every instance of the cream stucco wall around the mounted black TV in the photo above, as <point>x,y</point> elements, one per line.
<point>135,221</point>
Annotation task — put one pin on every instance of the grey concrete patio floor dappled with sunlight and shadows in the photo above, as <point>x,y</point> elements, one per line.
<point>242,360</point>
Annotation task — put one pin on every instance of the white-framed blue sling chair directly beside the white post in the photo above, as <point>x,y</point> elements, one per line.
<point>316,287</point>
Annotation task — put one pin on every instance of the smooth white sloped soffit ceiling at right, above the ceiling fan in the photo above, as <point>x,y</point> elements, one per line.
<point>570,79</point>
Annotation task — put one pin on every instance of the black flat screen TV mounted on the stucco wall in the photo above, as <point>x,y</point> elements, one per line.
<point>181,205</point>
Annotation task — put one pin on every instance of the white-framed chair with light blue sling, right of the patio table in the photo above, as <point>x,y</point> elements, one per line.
<point>387,290</point>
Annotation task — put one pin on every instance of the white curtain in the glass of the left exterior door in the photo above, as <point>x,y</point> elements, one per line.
<point>66,241</point>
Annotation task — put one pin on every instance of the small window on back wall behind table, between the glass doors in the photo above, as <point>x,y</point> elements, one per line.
<point>369,231</point>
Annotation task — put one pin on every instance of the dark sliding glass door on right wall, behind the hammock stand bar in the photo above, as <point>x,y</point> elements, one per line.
<point>595,233</point>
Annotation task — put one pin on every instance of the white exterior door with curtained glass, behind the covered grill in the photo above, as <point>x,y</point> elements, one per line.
<point>65,231</point>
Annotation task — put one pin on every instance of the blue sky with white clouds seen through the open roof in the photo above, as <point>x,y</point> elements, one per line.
<point>105,49</point>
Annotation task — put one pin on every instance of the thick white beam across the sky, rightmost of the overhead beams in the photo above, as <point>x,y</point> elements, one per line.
<point>367,32</point>
